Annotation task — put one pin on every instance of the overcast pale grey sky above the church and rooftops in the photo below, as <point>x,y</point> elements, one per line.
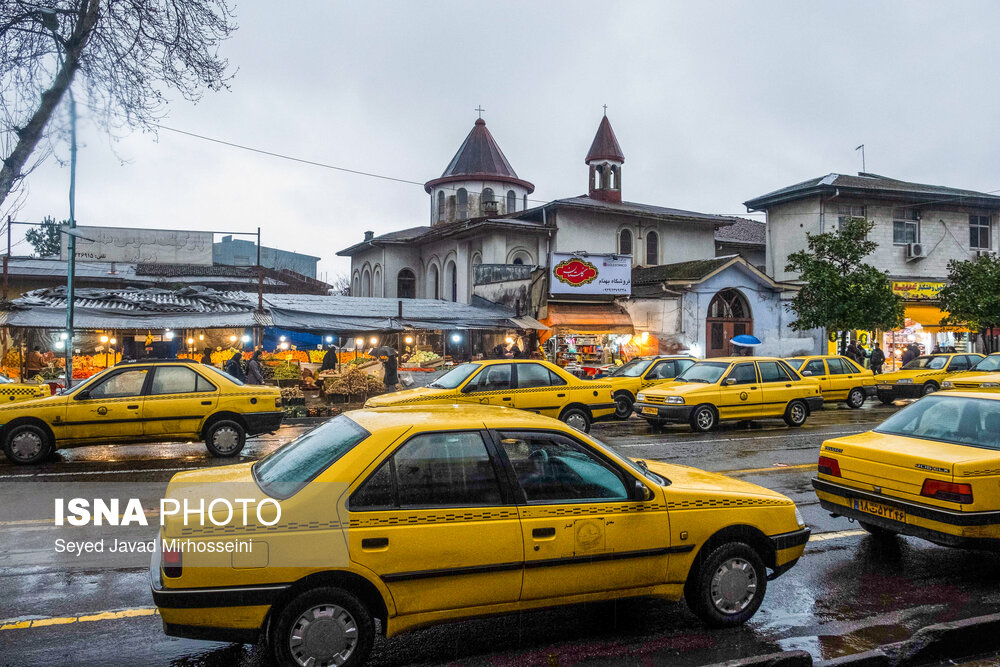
<point>713,103</point>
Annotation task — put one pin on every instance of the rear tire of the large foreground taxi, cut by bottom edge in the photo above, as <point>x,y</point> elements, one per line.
<point>329,625</point>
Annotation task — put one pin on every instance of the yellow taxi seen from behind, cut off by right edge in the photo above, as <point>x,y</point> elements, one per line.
<point>930,470</point>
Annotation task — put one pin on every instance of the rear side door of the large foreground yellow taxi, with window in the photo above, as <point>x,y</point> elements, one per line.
<point>434,523</point>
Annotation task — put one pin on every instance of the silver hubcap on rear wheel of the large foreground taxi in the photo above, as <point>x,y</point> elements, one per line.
<point>322,636</point>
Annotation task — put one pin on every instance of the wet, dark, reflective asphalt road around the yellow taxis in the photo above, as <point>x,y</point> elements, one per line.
<point>846,595</point>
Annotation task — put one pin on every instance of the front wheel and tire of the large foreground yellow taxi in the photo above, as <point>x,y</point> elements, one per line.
<point>726,587</point>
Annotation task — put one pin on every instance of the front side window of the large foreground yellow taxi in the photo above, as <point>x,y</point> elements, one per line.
<point>552,468</point>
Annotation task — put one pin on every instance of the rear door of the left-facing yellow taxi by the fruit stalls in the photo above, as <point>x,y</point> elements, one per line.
<point>178,400</point>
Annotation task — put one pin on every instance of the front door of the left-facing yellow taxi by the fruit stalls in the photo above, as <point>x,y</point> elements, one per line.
<point>112,408</point>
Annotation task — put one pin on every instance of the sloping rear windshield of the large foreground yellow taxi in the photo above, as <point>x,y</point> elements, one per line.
<point>283,472</point>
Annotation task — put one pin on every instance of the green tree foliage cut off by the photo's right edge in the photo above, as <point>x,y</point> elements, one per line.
<point>972,296</point>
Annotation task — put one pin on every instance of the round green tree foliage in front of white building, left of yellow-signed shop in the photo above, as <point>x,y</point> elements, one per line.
<point>840,292</point>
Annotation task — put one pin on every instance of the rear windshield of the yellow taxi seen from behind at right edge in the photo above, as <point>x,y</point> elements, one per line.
<point>974,422</point>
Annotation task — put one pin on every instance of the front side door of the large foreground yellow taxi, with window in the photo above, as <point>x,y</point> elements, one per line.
<point>583,532</point>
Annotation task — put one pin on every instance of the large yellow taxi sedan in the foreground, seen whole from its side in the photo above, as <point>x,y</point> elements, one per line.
<point>422,515</point>
